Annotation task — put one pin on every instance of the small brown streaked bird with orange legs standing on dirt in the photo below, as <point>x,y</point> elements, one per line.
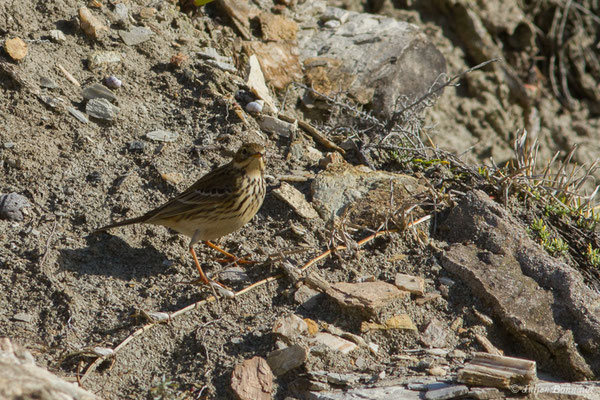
<point>219,203</point>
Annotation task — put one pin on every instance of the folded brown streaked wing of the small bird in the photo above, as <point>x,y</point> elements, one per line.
<point>206,194</point>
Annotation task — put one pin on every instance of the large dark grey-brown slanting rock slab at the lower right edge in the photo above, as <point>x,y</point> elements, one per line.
<point>541,300</point>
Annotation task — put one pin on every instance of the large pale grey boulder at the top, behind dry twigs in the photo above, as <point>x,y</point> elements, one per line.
<point>380,58</point>
